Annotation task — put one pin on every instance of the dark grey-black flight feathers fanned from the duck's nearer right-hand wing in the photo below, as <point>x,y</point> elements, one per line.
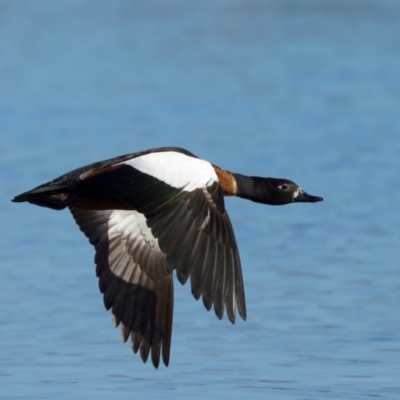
<point>208,246</point>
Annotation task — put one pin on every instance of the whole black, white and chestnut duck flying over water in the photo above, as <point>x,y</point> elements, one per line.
<point>153,212</point>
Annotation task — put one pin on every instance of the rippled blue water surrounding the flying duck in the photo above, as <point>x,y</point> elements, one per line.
<point>306,90</point>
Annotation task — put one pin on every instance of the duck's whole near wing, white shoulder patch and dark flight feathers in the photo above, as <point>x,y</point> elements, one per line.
<point>183,205</point>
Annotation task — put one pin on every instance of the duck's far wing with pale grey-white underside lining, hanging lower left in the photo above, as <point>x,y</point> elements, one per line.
<point>143,306</point>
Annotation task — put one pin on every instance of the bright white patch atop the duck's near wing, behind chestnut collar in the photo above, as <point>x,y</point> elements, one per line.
<point>176,169</point>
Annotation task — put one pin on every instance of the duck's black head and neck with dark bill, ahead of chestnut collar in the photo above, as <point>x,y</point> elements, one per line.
<point>274,191</point>
